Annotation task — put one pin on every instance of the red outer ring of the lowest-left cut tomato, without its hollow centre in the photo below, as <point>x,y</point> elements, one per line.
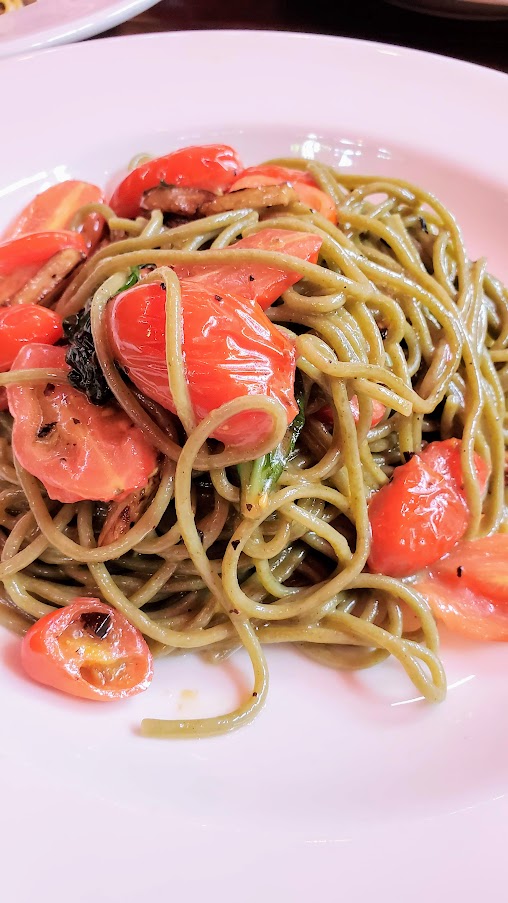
<point>45,661</point>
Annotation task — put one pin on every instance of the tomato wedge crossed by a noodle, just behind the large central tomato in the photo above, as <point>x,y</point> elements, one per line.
<point>256,281</point>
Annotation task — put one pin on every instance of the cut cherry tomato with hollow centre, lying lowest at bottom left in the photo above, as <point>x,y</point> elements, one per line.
<point>89,650</point>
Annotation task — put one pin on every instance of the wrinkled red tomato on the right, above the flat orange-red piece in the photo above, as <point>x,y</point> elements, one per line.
<point>415,519</point>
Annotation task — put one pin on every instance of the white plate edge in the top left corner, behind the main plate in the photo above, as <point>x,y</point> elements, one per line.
<point>49,22</point>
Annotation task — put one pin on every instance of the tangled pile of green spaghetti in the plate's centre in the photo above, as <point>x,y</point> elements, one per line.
<point>395,312</point>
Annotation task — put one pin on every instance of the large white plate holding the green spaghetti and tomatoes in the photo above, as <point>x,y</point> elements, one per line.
<point>346,786</point>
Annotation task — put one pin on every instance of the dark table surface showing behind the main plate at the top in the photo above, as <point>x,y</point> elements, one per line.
<point>484,42</point>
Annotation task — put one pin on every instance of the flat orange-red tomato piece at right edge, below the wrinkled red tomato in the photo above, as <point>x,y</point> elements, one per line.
<point>468,589</point>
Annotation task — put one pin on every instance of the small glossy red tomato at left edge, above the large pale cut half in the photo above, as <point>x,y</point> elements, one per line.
<point>24,324</point>
